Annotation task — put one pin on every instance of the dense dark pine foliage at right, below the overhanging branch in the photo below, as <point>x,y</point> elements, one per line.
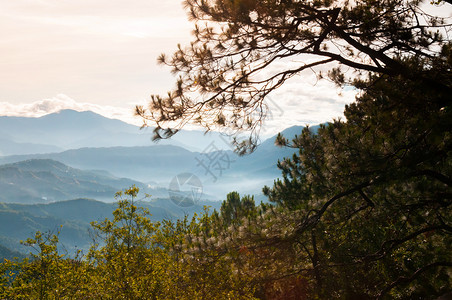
<point>374,193</point>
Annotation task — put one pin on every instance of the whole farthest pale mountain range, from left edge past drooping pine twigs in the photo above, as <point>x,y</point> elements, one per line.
<point>69,129</point>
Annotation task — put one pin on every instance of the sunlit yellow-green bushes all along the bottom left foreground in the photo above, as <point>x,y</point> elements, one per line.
<point>131,258</point>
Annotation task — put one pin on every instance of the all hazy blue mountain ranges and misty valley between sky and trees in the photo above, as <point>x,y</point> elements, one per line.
<point>47,162</point>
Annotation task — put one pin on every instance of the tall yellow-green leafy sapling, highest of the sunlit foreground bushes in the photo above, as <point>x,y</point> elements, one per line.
<point>126,256</point>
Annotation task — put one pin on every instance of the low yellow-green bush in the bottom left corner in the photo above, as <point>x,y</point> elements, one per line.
<point>46,274</point>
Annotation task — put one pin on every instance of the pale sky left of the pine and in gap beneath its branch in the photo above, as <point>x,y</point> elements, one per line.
<point>100,55</point>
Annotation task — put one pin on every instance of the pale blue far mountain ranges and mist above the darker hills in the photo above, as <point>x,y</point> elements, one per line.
<point>93,142</point>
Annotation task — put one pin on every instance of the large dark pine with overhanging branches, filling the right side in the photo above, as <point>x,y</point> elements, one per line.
<point>363,211</point>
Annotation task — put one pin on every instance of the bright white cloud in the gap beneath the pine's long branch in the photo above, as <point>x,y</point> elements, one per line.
<point>303,99</point>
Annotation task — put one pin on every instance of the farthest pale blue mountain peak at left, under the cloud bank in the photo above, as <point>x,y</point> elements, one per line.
<point>69,129</point>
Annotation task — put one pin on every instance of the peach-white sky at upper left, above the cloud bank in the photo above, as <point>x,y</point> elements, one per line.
<point>96,51</point>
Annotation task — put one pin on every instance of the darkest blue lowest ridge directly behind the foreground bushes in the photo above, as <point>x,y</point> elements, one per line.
<point>72,218</point>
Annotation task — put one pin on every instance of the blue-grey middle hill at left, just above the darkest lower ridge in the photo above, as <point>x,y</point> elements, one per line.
<point>45,180</point>
